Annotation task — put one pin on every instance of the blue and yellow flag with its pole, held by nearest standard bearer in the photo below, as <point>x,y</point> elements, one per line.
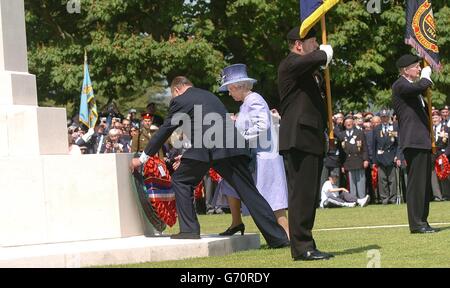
<point>311,11</point>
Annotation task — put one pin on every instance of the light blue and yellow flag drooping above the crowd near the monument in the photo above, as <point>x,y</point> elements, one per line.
<point>88,108</point>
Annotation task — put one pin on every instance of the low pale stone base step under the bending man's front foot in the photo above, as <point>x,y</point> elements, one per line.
<point>123,251</point>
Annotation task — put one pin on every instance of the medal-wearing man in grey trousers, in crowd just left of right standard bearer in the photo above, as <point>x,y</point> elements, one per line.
<point>385,150</point>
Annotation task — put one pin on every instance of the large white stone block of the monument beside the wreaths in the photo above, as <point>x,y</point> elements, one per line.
<point>49,199</point>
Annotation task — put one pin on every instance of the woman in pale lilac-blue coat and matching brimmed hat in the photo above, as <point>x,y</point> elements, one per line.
<point>256,123</point>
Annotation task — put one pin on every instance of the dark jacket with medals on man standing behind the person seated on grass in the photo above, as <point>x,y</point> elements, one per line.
<point>354,157</point>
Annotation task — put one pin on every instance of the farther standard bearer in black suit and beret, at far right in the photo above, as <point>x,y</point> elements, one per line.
<point>414,137</point>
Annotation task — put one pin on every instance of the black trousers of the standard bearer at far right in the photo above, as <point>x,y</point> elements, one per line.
<point>418,190</point>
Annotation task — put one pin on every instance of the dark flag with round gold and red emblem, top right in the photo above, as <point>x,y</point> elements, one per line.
<point>421,31</point>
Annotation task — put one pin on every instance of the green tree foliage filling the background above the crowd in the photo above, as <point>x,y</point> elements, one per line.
<point>135,46</point>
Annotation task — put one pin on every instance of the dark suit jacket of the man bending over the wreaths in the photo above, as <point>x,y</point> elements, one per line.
<point>189,111</point>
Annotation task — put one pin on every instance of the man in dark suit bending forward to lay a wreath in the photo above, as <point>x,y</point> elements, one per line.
<point>200,113</point>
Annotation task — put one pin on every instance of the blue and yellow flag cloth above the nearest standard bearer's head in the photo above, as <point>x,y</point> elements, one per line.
<point>311,11</point>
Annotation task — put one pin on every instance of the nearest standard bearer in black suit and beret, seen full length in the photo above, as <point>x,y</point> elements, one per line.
<point>302,137</point>
